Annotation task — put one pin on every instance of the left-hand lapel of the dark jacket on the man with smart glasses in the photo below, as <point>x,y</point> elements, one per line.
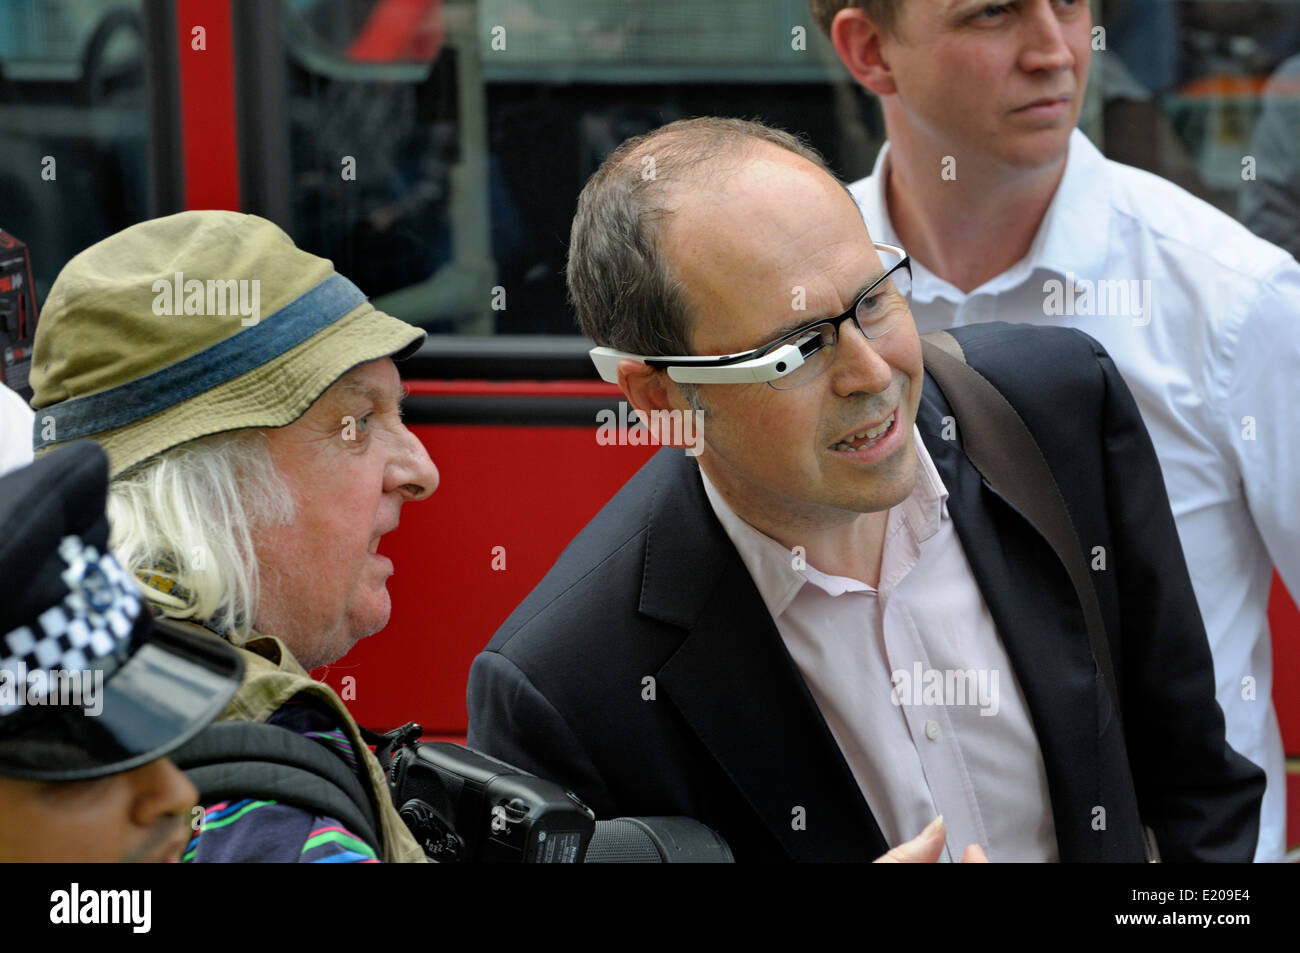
<point>736,686</point>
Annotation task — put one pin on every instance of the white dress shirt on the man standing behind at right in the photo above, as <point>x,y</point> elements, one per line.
<point>1210,344</point>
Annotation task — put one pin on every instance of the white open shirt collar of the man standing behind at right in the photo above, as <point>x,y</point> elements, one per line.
<point>1072,241</point>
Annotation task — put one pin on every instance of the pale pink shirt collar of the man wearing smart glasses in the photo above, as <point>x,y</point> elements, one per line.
<point>772,565</point>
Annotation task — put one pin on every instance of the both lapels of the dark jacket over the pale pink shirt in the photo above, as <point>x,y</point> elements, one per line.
<point>742,694</point>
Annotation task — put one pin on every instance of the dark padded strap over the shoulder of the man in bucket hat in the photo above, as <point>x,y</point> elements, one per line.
<point>239,760</point>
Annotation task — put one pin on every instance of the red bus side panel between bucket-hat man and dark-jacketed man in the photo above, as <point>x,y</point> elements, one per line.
<point>528,490</point>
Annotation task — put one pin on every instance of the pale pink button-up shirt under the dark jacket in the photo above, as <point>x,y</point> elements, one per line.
<point>972,753</point>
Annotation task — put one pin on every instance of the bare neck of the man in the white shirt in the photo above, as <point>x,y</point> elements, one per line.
<point>970,228</point>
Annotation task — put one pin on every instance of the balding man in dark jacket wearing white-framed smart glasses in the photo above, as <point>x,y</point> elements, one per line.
<point>837,629</point>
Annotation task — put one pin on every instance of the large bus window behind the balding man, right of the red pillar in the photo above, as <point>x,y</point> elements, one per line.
<point>436,149</point>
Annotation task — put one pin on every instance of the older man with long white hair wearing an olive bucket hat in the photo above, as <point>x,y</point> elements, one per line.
<point>249,402</point>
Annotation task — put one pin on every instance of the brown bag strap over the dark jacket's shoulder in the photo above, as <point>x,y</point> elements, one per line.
<point>1000,445</point>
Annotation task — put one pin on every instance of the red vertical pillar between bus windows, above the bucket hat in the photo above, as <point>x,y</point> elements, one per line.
<point>209,132</point>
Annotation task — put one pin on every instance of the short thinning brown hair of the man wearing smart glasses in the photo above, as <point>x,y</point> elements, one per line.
<point>619,281</point>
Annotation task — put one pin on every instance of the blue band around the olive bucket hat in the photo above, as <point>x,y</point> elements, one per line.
<point>241,353</point>
